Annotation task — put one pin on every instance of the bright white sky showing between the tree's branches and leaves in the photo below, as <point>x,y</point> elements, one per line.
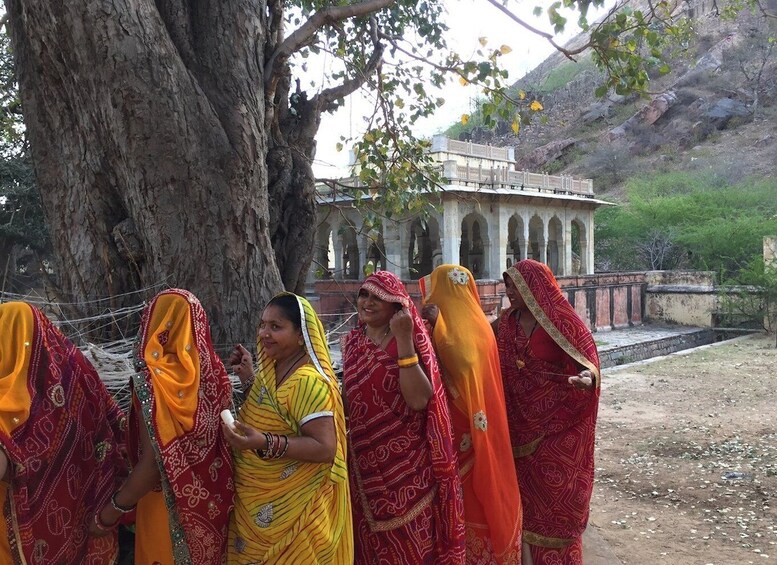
<point>468,20</point>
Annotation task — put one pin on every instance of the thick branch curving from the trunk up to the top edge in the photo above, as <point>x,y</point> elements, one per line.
<point>307,31</point>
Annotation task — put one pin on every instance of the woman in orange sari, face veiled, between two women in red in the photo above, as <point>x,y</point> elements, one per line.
<point>469,363</point>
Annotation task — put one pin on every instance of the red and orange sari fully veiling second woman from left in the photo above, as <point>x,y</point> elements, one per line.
<point>179,390</point>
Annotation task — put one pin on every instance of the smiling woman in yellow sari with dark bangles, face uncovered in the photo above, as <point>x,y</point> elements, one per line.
<point>292,501</point>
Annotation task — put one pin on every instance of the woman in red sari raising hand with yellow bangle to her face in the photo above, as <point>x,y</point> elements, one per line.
<point>405,486</point>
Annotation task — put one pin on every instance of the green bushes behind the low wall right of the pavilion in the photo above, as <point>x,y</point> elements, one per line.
<point>687,221</point>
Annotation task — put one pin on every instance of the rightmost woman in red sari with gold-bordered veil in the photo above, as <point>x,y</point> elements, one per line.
<point>550,368</point>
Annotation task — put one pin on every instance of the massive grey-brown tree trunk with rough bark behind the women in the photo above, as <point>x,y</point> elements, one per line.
<point>147,127</point>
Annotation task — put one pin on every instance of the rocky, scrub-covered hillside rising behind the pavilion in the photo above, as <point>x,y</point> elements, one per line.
<point>715,111</point>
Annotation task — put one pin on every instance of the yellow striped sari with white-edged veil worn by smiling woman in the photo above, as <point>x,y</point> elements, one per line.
<point>289,511</point>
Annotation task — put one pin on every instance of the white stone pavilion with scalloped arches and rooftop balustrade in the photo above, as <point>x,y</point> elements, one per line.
<point>491,216</point>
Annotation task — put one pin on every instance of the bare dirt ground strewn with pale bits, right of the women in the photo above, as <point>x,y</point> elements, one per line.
<point>686,468</point>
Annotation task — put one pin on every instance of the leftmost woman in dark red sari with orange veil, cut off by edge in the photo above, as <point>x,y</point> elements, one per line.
<point>60,445</point>
